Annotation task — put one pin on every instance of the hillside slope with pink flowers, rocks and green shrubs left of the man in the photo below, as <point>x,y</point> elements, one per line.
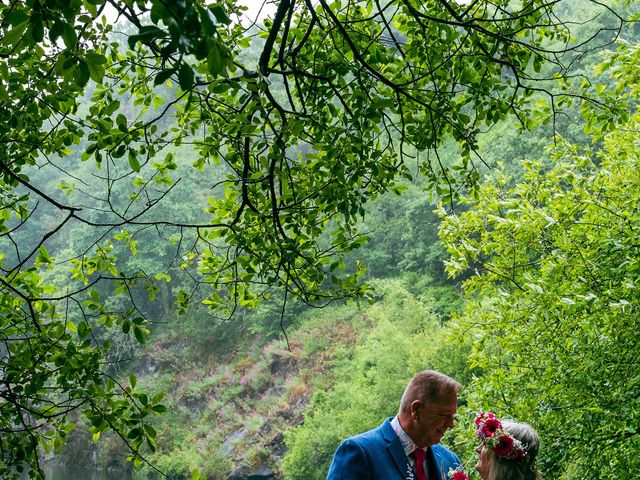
<point>272,407</point>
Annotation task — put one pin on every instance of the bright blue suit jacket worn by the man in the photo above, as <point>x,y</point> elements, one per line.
<point>378,455</point>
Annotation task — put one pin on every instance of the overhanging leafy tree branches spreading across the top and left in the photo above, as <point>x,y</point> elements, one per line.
<point>339,98</point>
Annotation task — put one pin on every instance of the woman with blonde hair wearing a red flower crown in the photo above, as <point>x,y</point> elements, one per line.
<point>508,450</point>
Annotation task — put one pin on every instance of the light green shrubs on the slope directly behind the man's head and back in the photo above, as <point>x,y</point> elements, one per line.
<point>400,335</point>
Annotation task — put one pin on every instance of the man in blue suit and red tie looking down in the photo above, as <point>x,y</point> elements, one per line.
<point>406,446</point>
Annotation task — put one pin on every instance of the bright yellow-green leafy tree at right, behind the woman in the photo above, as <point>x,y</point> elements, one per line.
<point>554,300</point>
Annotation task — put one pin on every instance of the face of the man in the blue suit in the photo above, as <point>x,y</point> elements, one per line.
<point>434,419</point>
